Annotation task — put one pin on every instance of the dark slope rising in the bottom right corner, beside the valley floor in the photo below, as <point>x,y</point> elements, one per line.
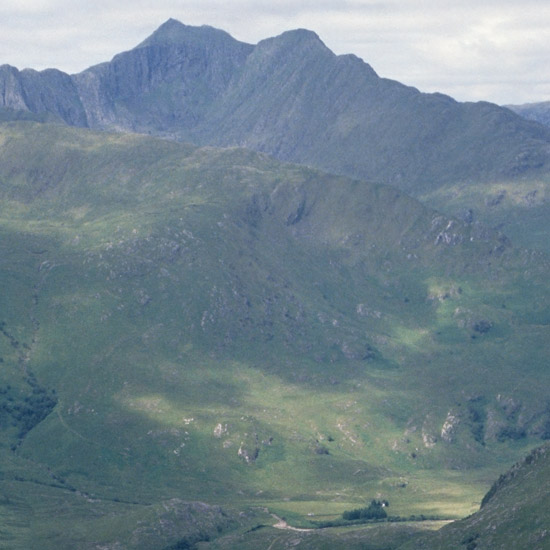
<point>513,514</point>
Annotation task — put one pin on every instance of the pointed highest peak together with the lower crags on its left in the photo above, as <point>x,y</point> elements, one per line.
<point>164,85</point>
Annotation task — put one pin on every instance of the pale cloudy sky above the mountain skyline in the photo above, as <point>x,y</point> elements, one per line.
<point>472,50</point>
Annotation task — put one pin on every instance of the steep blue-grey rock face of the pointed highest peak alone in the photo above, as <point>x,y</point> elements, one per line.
<point>166,84</point>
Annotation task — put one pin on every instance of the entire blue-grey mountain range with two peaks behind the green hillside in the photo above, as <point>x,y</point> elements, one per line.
<point>291,97</point>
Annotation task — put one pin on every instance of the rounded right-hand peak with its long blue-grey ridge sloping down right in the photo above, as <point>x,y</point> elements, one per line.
<point>334,112</point>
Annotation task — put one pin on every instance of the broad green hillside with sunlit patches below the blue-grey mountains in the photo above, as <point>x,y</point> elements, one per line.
<point>211,325</point>
